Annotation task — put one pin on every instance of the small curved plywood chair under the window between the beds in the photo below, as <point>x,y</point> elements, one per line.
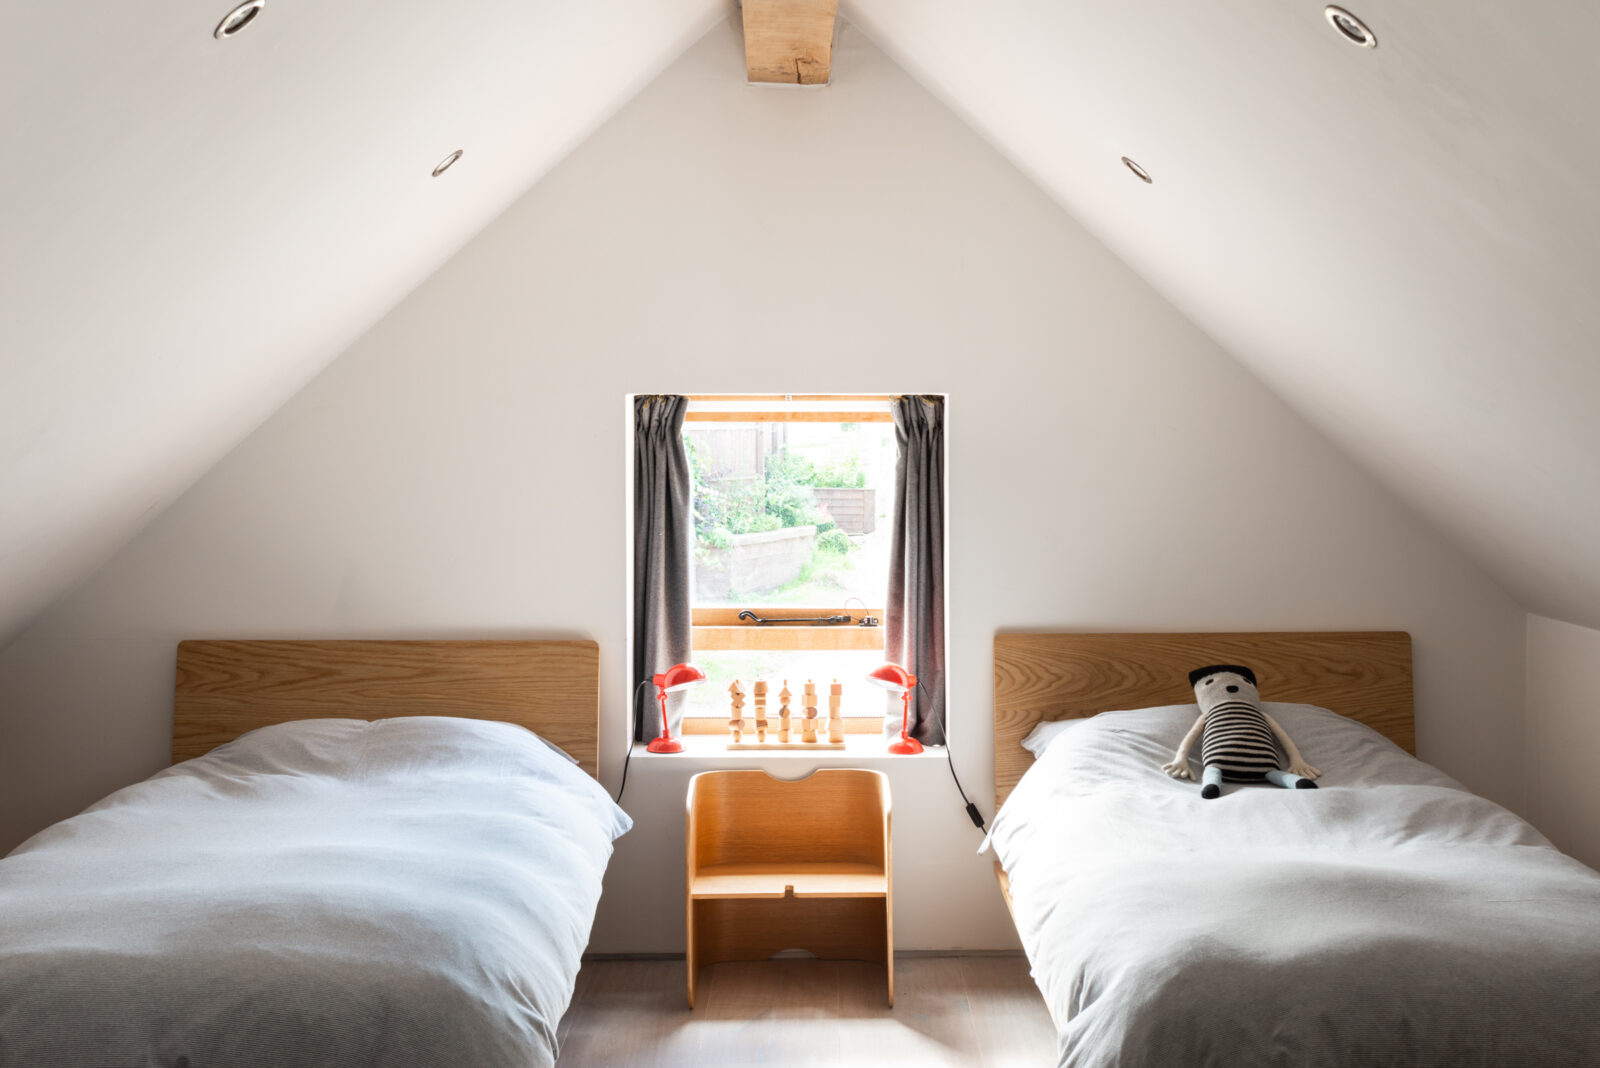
<point>790,866</point>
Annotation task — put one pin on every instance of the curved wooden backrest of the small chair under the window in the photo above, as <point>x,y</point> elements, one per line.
<point>836,815</point>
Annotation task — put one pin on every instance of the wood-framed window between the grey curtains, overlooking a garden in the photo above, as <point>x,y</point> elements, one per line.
<point>793,520</point>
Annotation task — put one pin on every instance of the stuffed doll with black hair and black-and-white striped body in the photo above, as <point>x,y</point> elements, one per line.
<point>1238,741</point>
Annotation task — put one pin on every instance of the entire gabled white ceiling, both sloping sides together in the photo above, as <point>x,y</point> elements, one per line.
<point>1401,242</point>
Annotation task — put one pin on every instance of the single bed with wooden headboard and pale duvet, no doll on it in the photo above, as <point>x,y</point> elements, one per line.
<point>372,853</point>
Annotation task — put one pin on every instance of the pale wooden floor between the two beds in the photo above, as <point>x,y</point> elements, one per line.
<point>980,1011</point>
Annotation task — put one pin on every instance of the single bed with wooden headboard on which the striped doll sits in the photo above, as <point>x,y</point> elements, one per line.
<point>1388,919</point>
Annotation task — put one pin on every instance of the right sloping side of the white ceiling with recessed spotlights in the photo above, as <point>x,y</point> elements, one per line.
<point>1402,242</point>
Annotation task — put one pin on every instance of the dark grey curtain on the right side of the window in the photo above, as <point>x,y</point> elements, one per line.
<point>914,629</point>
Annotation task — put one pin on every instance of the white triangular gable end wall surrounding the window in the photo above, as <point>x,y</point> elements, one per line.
<point>460,471</point>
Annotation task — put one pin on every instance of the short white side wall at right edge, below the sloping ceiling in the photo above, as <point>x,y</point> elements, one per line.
<point>1564,735</point>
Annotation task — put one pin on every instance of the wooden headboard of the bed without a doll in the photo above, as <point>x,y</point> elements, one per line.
<point>228,688</point>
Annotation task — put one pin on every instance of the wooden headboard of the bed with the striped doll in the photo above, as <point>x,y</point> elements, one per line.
<point>1364,675</point>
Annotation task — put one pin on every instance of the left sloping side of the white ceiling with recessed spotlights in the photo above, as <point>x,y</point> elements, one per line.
<point>193,228</point>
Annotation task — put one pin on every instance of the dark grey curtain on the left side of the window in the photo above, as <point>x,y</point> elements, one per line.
<point>662,556</point>
